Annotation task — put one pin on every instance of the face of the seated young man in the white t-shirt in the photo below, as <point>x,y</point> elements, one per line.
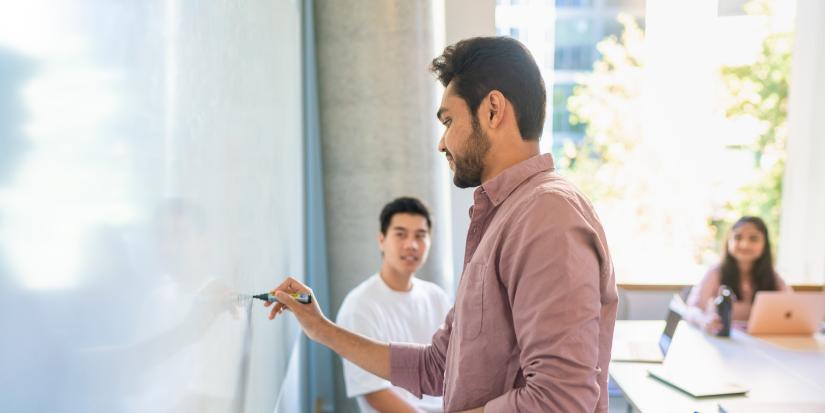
<point>406,244</point>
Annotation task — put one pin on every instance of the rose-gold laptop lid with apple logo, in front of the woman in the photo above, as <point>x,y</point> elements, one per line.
<point>777,312</point>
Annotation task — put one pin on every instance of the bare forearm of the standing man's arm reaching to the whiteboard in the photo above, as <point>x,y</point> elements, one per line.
<point>371,355</point>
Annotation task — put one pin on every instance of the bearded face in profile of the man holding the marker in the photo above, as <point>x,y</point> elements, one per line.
<point>463,142</point>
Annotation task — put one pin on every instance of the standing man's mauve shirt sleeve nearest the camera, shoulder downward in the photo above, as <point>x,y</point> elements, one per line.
<point>551,271</point>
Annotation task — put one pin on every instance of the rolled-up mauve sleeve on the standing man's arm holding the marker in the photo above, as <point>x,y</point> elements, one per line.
<point>419,368</point>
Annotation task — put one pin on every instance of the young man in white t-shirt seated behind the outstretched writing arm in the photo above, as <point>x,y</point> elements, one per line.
<point>394,305</point>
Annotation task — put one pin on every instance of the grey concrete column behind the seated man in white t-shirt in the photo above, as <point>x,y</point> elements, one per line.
<point>379,135</point>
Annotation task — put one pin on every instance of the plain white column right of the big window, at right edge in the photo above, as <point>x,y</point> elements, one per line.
<point>802,247</point>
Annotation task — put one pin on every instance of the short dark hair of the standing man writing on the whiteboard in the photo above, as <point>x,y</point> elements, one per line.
<point>480,65</point>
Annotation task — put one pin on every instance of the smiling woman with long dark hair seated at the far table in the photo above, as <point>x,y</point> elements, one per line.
<point>746,267</point>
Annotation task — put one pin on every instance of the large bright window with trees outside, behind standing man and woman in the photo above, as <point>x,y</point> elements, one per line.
<point>667,131</point>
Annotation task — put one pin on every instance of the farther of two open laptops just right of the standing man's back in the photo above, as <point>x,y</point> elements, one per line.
<point>650,351</point>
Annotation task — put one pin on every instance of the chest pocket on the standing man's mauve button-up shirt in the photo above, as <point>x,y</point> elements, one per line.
<point>471,300</point>
